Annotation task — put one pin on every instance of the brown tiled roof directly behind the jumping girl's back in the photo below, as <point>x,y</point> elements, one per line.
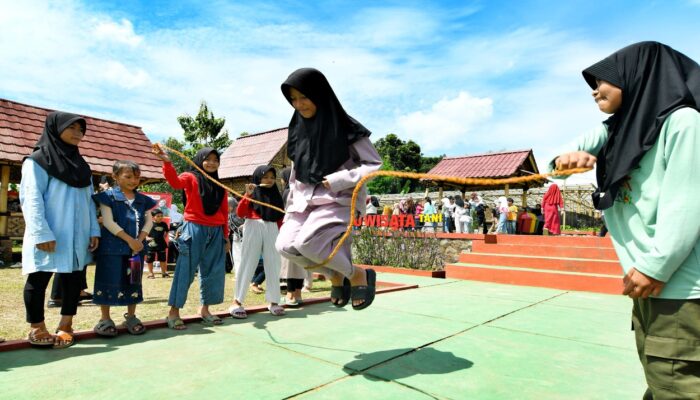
<point>248,152</point>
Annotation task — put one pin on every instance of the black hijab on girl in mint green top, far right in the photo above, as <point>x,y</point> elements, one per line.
<point>655,81</point>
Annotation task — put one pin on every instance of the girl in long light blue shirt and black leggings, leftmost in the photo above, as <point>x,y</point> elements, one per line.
<point>61,224</point>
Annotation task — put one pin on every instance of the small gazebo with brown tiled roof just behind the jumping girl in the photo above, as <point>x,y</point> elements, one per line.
<point>241,158</point>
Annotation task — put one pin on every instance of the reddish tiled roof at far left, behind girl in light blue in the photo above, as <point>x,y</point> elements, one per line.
<point>21,126</point>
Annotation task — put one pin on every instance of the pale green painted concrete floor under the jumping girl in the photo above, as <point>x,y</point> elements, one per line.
<point>445,340</point>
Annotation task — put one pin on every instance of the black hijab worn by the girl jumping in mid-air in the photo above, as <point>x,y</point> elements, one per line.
<point>319,145</point>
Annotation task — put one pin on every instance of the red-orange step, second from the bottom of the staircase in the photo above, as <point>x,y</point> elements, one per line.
<point>558,264</point>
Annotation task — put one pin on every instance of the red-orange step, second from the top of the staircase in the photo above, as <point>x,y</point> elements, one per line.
<point>597,253</point>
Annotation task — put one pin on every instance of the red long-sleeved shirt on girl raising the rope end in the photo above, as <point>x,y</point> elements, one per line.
<point>194,211</point>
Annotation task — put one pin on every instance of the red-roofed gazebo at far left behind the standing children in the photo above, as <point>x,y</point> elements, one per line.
<point>105,142</point>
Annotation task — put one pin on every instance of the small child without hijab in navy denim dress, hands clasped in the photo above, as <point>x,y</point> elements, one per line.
<point>125,225</point>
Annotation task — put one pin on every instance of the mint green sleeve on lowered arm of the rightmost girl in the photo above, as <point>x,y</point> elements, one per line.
<point>678,215</point>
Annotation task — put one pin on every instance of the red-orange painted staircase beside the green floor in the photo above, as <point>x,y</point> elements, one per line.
<point>583,263</point>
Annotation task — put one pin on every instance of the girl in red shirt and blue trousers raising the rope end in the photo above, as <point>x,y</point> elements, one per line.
<point>203,240</point>
